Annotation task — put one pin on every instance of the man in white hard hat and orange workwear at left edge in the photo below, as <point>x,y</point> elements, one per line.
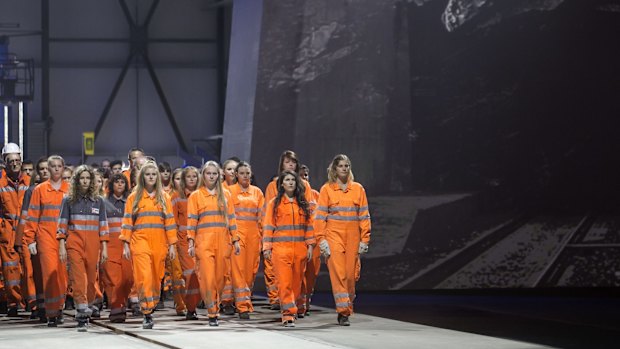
<point>13,185</point>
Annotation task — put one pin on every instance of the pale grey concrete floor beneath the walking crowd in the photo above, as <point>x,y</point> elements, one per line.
<point>262,331</point>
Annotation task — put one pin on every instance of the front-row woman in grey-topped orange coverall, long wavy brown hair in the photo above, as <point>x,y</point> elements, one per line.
<point>83,234</point>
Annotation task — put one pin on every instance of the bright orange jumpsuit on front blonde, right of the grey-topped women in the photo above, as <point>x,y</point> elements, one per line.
<point>149,232</point>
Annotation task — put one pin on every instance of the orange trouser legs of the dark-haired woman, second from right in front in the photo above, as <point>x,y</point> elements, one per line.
<point>289,263</point>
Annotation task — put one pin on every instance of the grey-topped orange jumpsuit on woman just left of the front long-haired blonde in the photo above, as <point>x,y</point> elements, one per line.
<point>117,272</point>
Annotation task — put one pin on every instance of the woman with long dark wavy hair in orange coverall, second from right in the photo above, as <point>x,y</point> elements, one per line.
<point>288,241</point>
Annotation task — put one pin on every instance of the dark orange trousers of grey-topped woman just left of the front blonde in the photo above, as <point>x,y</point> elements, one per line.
<point>117,278</point>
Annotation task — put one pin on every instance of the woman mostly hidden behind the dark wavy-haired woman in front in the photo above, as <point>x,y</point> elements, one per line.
<point>289,162</point>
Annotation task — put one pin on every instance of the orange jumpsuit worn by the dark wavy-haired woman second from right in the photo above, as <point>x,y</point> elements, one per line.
<point>288,233</point>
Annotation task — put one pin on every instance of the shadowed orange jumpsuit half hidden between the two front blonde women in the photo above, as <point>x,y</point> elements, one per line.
<point>192,287</point>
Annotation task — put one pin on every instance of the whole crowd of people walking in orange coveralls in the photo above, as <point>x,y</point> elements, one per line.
<point>71,236</point>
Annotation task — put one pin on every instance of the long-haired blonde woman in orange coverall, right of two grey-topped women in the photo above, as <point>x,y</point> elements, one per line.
<point>148,231</point>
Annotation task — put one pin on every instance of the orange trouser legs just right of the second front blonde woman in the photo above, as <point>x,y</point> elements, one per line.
<point>242,265</point>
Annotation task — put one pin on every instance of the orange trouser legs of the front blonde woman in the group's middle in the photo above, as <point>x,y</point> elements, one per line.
<point>211,254</point>
